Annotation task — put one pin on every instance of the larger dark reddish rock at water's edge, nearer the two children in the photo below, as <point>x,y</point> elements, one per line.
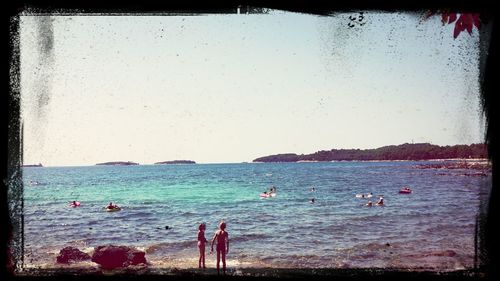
<point>111,256</point>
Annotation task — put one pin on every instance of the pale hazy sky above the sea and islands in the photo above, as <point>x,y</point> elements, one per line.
<point>234,87</point>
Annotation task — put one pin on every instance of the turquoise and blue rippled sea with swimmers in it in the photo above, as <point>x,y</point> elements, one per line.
<point>434,227</point>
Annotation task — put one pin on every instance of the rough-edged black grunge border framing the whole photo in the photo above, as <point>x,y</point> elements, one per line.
<point>12,142</point>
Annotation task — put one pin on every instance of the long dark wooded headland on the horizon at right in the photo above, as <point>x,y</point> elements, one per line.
<point>407,151</point>
